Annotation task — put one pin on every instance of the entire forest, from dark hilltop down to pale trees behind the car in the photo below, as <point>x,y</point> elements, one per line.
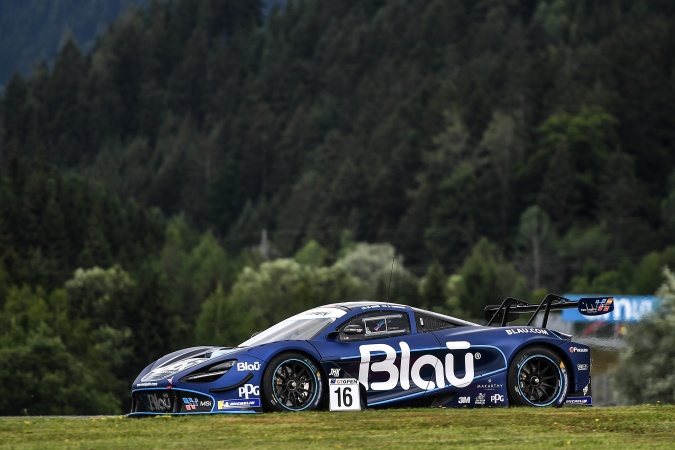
<point>494,147</point>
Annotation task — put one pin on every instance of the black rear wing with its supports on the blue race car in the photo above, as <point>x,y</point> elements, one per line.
<point>511,308</point>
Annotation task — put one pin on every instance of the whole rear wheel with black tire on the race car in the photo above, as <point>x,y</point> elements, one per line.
<point>537,377</point>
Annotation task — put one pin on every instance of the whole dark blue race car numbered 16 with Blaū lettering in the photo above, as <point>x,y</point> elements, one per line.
<point>357,355</point>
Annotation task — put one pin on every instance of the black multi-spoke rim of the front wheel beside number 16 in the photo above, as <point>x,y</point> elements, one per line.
<point>294,384</point>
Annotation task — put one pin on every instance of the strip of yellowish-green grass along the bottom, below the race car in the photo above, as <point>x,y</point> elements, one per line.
<point>504,428</point>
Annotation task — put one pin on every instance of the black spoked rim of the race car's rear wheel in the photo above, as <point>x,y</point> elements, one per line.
<point>539,380</point>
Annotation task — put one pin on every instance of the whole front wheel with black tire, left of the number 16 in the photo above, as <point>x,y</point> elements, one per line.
<point>292,382</point>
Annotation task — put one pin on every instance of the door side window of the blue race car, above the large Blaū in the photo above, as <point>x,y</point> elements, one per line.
<point>375,325</point>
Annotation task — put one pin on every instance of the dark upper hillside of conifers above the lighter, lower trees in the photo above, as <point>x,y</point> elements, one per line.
<point>403,129</point>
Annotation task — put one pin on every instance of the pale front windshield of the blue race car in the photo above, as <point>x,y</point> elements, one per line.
<point>299,327</point>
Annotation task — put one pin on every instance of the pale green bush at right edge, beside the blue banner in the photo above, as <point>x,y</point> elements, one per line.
<point>646,372</point>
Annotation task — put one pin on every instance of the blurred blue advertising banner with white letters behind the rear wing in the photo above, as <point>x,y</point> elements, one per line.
<point>627,308</point>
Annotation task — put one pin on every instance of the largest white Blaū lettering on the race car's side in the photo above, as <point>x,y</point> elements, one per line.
<point>408,373</point>
